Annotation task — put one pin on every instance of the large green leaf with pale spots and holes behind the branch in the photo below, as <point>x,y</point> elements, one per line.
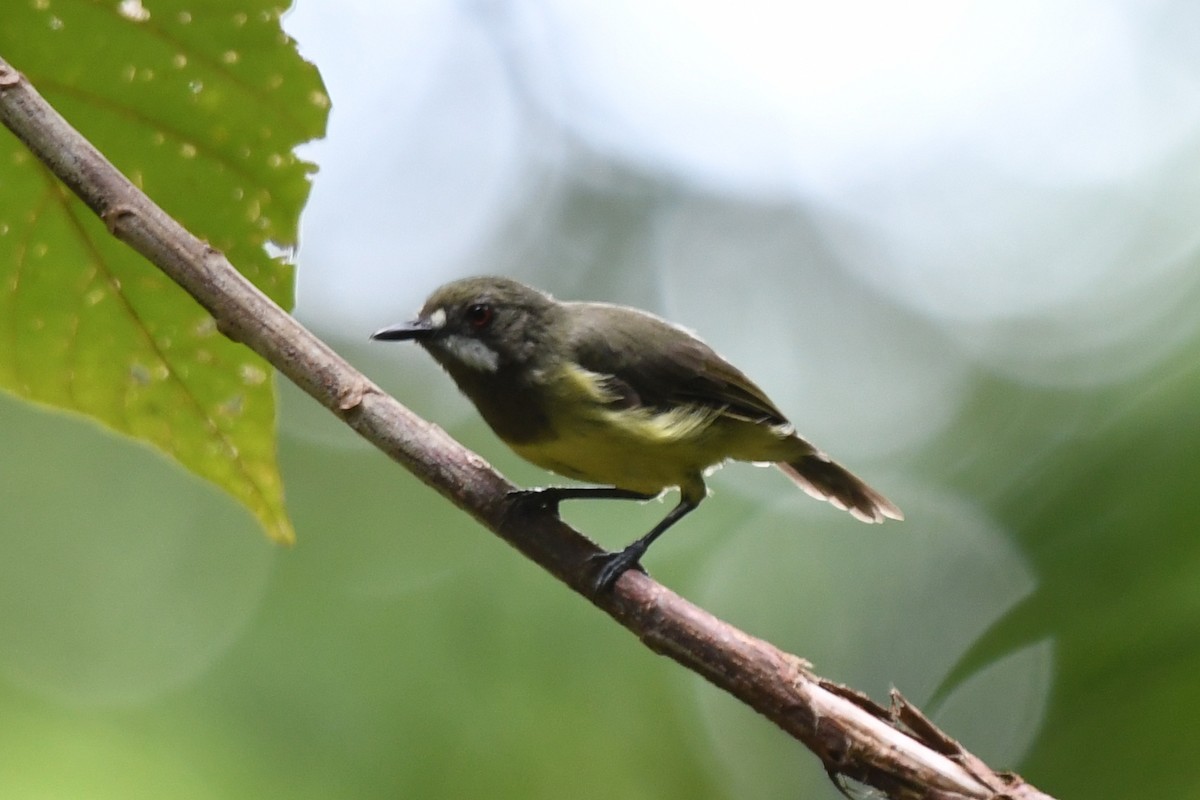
<point>201,105</point>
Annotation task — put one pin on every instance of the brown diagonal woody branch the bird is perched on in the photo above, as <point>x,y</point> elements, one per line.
<point>898,751</point>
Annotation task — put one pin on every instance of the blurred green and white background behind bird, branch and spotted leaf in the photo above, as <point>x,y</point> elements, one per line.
<point>957,243</point>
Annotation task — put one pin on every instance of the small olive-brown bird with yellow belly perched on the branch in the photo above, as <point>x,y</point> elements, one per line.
<point>616,396</point>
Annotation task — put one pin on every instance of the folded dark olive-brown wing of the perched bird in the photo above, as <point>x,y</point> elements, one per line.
<point>653,364</point>
